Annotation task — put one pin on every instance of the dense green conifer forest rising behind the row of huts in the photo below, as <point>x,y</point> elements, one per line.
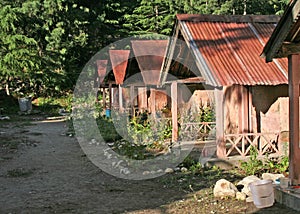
<point>46,43</point>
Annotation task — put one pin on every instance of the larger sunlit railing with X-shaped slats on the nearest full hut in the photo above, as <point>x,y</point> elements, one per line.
<point>240,144</point>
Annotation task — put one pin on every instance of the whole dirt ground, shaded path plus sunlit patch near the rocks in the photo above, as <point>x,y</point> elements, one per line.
<point>44,171</point>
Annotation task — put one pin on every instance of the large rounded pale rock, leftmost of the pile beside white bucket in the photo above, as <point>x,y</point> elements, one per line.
<point>224,188</point>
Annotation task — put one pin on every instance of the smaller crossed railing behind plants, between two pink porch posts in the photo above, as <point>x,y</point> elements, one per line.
<point>197,130</point>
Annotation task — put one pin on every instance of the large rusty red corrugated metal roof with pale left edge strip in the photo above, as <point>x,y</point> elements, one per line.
<point>228,49</point>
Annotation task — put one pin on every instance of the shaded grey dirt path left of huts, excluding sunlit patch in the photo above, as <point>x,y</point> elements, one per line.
<point>53,175</point>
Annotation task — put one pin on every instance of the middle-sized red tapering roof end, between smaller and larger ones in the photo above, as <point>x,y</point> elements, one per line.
<point>119,61</point>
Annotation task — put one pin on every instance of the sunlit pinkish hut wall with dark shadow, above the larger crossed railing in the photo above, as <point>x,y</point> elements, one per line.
<point>255,109</point>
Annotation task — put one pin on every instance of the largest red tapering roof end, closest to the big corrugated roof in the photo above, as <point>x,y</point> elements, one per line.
<point>150,55</point>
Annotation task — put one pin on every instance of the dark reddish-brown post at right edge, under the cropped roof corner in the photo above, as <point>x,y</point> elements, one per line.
<point>294,154</point>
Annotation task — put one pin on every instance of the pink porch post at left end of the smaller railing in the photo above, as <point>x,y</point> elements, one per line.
<point>174,99</point>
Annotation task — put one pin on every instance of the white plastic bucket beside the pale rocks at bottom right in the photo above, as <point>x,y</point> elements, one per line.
<point>262,193</point>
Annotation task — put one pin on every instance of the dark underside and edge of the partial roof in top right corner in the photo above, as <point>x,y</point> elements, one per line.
<point>286,35</point>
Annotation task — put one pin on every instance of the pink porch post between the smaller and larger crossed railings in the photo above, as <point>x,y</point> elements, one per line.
<point>221,147</point>
